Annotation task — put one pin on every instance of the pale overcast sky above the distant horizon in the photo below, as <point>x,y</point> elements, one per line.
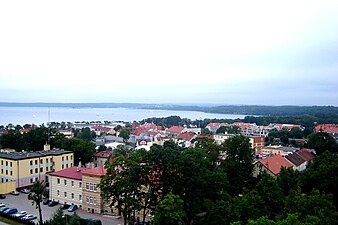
<point>225,52</point>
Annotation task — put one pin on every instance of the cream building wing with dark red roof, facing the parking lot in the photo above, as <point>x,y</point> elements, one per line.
<point>66,186</point>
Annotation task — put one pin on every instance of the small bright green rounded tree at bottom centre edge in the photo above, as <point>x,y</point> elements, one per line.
<point>170,211</point>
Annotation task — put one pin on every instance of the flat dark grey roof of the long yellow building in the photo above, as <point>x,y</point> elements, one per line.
<point>28,155</point>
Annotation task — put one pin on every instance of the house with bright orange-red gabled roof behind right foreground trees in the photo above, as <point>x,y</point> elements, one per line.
<point>271,165</point>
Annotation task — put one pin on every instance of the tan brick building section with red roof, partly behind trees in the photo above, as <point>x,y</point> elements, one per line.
<point>92,201</point>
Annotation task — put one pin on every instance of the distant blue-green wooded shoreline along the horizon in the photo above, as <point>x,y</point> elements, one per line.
<point>258,110</point>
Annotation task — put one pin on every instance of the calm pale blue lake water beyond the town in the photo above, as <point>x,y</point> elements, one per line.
<point>39,115</point>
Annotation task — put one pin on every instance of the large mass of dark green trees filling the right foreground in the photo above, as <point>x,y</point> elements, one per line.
<point>195,186</point>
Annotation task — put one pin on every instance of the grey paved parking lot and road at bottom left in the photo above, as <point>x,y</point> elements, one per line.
<point>22,203</point>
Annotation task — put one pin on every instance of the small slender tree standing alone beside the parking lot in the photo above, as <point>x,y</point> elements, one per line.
<point>38,192</point>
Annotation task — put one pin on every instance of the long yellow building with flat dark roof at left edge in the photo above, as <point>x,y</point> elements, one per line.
<point>26,167</point>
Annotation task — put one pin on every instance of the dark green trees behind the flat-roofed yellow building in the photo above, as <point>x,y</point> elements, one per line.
<point>37,137</point>
